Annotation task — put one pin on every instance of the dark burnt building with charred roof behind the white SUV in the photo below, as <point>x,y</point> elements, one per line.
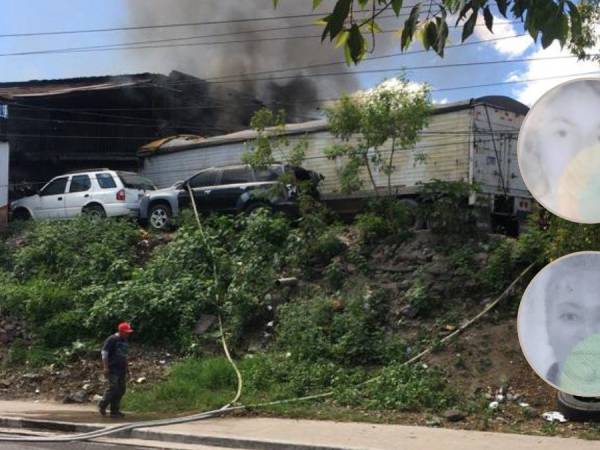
<point>53,126</point>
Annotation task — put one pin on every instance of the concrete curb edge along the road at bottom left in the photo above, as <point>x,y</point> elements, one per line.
<point>164,436</point>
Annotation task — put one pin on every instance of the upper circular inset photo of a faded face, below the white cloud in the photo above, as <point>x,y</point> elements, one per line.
<point>559,150</point>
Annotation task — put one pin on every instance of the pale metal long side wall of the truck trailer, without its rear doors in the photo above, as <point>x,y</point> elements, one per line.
<point>445,144</point>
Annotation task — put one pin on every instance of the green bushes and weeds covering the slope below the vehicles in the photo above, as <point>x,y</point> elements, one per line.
<point>72,281</point>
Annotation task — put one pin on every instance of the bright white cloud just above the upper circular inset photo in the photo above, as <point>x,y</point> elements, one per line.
<point>564,68</point>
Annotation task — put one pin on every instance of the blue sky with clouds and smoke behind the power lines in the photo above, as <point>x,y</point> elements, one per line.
<point>448,84</point>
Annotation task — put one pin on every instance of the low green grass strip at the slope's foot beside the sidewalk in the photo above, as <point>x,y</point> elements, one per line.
<point>195,385</point>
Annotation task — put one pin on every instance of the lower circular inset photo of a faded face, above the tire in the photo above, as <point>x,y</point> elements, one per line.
<point>559,324</point>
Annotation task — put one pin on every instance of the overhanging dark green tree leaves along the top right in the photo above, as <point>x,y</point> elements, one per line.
<point>567,22</point>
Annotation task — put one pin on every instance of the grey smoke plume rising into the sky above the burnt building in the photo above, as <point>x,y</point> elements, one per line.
<point>298,95</point>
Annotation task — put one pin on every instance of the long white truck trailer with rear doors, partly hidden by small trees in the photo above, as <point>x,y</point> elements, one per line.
<point>473,141</point>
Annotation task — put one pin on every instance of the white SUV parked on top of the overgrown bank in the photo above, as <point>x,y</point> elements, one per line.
<point>97,192</point>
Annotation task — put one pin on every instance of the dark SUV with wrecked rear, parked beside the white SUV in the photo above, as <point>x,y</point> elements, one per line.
<point>229,189</point>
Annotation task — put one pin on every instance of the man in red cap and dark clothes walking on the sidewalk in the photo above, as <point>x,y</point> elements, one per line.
<point>114,362</point>
